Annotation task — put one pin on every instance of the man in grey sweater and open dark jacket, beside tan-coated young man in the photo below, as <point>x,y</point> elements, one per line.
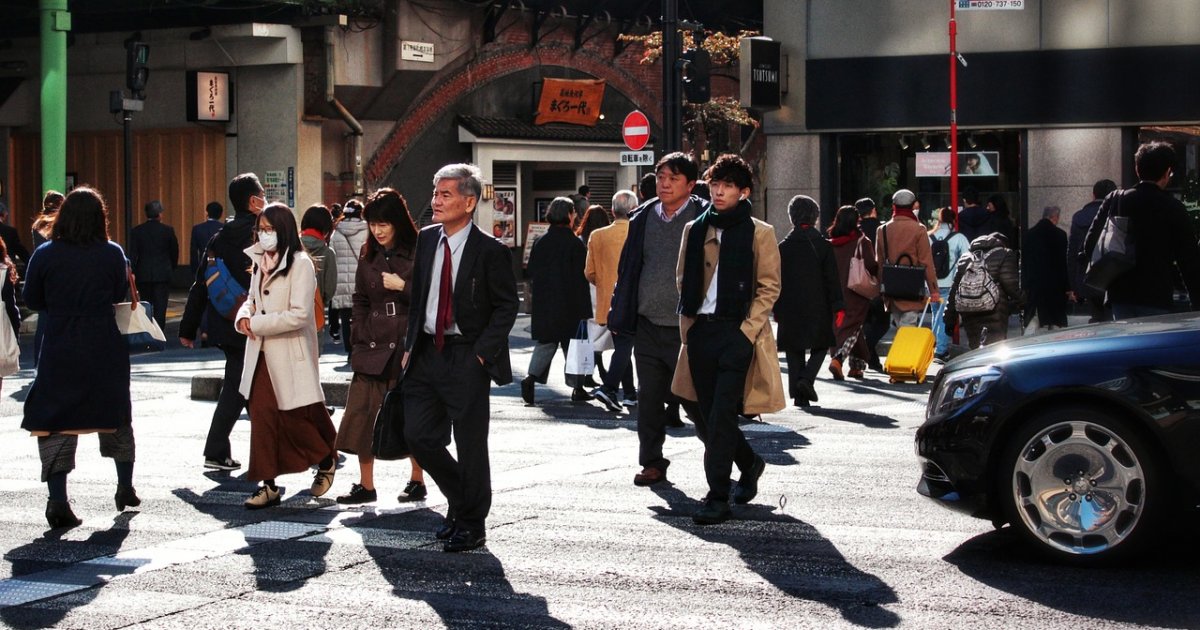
<point>646,299</point>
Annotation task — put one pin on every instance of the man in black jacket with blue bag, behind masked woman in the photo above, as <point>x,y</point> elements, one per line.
<point>248,201</point>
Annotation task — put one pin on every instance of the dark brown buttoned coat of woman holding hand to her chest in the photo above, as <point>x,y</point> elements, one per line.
<point>381,315</point>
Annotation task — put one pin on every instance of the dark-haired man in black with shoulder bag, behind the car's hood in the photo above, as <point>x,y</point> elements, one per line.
<point>1162,238</point>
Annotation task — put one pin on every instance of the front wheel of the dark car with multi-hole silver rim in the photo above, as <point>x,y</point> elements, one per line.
<point>1082,487</point>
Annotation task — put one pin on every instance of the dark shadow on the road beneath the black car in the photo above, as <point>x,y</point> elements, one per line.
<point>1165,586</point>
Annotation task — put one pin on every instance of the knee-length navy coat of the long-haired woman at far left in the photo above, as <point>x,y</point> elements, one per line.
<point>83,371</point>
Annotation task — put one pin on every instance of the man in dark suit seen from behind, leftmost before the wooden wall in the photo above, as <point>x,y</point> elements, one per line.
<point>154,254</point>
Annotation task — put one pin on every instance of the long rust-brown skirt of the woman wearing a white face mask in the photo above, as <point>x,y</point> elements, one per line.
<point>285,442</point>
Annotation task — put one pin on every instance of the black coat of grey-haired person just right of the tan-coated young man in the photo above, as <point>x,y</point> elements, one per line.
<point>809,291</point>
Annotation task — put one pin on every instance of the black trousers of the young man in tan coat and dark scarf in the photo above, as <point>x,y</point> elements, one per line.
<point>719,356</point>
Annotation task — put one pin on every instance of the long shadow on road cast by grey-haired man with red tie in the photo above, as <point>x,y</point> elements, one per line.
<point>465,590</point>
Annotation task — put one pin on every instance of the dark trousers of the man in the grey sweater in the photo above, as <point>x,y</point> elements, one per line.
<point>657,351</point>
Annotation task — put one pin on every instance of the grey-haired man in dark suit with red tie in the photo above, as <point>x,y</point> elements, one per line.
<point>465,303</point>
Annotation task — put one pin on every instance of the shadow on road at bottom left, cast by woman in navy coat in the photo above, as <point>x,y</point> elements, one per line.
<point>53,567</point>
